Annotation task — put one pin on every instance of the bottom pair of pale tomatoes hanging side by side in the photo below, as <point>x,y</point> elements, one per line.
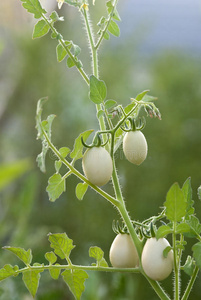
<point>123,254</point>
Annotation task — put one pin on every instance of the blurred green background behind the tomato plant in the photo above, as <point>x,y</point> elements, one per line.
<point>29,71</point>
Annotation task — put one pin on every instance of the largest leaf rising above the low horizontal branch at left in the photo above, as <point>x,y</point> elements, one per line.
<point>61,244</point>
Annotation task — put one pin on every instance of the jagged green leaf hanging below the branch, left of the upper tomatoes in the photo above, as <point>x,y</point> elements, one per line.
<point>56,186</point>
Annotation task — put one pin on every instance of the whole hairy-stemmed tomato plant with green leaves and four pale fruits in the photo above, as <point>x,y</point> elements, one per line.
<point>135,250</point>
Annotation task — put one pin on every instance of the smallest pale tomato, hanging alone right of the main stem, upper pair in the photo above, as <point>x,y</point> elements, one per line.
<point>135,147</point>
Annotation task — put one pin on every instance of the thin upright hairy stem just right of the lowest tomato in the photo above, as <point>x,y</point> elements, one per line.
<point>176,265</point>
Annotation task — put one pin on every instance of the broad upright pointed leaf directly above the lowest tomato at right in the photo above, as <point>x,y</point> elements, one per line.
<point>175,204</point>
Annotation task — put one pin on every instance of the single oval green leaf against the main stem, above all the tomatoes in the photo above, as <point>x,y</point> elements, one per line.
<point>98,90</point>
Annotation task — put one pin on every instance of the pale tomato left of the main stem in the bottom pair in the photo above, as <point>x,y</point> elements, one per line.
<point>123,253</point>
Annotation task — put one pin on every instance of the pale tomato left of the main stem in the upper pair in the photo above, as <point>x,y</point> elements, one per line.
<point>97,165</point>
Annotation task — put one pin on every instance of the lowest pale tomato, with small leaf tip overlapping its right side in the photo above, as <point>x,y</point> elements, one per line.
<point>155,265</point>
